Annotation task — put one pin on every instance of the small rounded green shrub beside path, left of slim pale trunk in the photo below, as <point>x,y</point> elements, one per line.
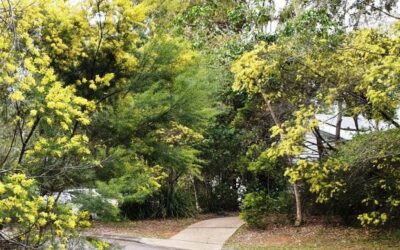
<point>260,210</point>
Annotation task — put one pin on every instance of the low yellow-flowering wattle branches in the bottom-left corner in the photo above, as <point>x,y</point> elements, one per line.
<point>36,216</point>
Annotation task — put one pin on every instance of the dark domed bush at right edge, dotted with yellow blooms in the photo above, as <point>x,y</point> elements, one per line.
<point>367,178</point>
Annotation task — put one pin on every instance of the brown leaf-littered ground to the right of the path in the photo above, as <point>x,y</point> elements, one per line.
<point>313,236</point>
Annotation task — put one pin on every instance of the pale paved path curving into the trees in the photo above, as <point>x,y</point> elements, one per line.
<point>204,235</point>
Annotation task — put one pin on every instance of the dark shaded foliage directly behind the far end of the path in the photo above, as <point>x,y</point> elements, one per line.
<point>217,190</point>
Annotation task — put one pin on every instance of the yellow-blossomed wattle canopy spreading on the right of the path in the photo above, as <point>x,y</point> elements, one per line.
<point>355,72</point>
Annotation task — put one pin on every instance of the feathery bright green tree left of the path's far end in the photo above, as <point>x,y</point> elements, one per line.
<point>157,126</point>
